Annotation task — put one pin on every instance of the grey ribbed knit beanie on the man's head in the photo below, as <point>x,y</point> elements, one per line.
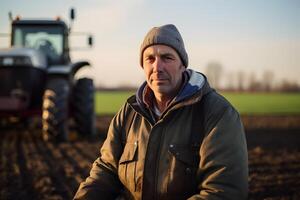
<point>166,35</point>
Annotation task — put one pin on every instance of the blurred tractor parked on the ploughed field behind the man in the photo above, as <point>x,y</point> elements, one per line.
<point>37,78</point>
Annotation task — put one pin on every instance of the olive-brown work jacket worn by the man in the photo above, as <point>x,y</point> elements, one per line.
<point>196,150</point>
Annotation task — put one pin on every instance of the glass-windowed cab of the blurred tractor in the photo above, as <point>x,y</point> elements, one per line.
<point>48,36</point>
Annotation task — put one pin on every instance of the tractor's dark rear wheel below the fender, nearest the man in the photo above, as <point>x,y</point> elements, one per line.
<point>83,107</point>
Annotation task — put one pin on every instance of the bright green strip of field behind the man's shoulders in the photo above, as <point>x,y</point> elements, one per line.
<point>109,102</point>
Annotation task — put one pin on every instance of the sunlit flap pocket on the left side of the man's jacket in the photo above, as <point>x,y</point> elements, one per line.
<point>127,165</point>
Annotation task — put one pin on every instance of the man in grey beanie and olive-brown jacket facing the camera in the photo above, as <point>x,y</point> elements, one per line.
<point>175,139</point>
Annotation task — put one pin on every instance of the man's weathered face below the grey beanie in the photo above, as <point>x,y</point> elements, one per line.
<point>163,69</point>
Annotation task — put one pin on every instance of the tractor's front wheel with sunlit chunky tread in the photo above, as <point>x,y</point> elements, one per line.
<point>55,110</point>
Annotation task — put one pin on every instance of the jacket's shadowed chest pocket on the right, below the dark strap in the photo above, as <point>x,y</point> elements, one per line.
<point>183,169</point>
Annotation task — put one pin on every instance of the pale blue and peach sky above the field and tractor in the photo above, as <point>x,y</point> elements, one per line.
<point>249,36</point>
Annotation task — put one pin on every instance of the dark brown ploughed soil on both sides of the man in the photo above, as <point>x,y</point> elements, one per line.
<point>33,169</point>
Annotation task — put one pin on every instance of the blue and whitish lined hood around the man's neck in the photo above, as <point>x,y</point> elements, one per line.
<point>195,87</point>
